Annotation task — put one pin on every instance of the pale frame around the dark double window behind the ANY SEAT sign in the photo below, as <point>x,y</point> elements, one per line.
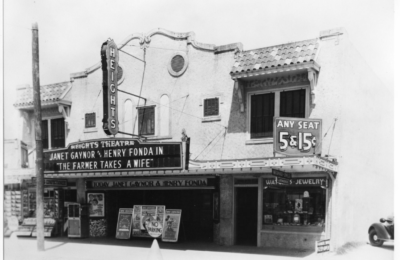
<point>276,91</point>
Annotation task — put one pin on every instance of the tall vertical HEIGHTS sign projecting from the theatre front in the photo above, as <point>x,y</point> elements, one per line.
<point>109,65</point>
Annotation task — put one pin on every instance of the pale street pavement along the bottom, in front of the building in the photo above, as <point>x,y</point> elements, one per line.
<point>109,249</point>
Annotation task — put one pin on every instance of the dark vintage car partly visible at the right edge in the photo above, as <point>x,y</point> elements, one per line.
<point>381,232</point>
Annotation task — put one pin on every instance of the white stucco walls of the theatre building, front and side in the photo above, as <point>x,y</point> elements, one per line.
<point>339,88</point>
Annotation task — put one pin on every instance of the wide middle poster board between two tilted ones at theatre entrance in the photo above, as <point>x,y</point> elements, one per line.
<point>143,215</point>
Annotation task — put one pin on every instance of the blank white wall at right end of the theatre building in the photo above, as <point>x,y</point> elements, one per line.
<point>349,91</point>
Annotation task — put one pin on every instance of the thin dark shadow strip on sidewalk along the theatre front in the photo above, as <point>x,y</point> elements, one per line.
<point>180,245</point>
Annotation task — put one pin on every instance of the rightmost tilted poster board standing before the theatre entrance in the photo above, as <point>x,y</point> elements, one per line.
<point>172,222</point>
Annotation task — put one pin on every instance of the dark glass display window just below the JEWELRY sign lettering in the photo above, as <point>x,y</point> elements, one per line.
<point>291,205</point>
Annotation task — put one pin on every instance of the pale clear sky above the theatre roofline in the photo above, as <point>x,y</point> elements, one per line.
<point>71,32</point>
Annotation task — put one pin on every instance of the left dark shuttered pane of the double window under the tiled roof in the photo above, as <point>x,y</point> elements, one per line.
<point>262,115</point>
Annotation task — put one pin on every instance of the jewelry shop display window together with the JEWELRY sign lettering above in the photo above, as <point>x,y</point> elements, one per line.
<point>296,207</point>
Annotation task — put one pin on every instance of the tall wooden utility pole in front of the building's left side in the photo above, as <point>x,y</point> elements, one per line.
<point>38,138</point>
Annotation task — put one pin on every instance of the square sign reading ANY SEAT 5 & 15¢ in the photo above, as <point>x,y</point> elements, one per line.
<point>297,136</point>
